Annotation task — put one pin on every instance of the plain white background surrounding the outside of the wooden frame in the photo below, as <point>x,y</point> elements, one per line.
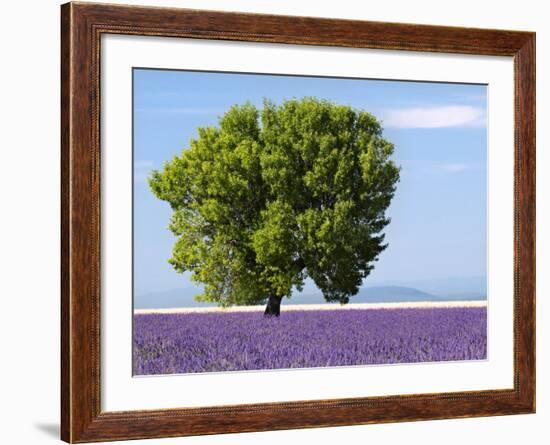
<point>29,235</point>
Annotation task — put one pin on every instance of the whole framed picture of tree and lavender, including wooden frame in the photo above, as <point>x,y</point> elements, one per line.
<point>274,222</point>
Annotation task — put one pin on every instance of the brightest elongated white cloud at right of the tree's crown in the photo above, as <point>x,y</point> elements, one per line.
<point>435,117</point>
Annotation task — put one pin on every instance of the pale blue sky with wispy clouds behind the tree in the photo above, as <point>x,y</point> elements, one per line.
<point>438,227</point>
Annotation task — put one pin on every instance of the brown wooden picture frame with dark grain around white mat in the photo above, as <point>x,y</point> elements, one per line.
<point>82,25</point>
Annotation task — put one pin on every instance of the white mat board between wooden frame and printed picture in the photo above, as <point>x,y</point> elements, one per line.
<point>167,391</point>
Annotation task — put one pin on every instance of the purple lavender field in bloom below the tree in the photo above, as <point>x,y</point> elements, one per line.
<point>235,341</point>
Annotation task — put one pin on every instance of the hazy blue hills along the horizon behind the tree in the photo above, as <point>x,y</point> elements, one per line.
<point>369,294</point>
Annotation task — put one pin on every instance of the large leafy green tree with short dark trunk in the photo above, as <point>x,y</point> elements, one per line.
<point>268,198</point>
